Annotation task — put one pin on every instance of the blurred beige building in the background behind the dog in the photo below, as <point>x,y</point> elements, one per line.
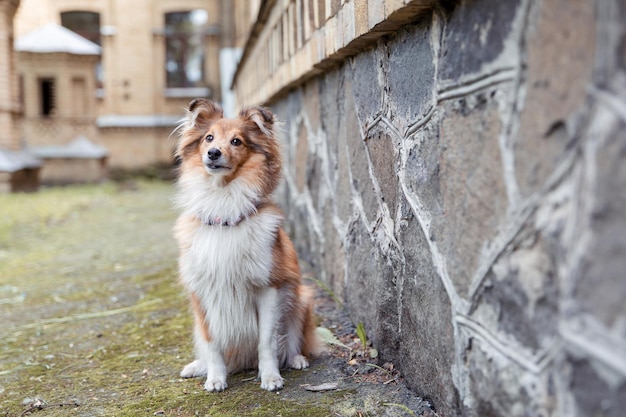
<point>156,55</point>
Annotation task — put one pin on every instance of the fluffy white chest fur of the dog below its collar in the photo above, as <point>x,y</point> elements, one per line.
<point>224,267</point>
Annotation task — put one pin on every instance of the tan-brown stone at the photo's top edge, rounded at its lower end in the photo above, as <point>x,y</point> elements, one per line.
<point>561,45</point>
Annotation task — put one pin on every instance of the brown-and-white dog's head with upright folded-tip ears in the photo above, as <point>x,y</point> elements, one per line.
<point>244,147</point>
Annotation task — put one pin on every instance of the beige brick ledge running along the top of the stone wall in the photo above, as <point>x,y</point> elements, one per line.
<point>285,48</point>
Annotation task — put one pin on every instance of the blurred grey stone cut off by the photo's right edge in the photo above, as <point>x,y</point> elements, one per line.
<point>599,286</point>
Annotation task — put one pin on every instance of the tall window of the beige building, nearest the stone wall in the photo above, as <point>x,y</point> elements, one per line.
<point>184,48</point>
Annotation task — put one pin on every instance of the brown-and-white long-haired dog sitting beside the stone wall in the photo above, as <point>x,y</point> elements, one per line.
<point>236,262</point>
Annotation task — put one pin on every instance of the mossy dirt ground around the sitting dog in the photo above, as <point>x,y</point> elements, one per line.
<point>93,322</point>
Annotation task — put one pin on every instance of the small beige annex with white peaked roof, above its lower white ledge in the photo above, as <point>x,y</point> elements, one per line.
<point>57,81</point>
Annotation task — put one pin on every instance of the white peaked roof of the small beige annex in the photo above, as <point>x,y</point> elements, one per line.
<point>55,38</point>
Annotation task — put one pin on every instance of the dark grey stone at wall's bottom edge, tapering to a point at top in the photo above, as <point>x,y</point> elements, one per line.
<point>419,334</point>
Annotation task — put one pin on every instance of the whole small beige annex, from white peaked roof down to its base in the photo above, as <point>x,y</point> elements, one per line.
<point>57,80</point>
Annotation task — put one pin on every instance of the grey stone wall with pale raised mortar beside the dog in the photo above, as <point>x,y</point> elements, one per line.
<point>461,185</point>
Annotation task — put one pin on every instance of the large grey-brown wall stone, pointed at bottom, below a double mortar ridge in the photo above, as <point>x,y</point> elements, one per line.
<point>473,196</point>
